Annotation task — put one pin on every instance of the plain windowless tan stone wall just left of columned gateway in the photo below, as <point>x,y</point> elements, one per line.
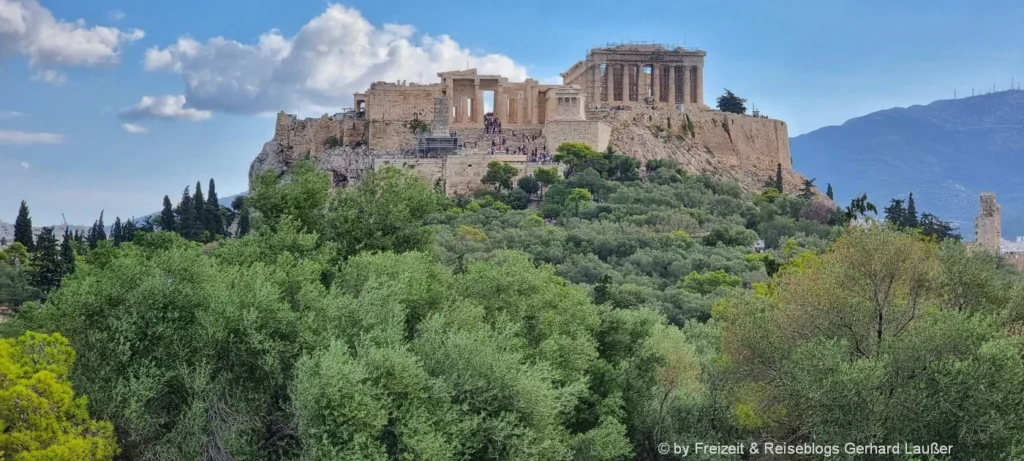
<point>393,102</point>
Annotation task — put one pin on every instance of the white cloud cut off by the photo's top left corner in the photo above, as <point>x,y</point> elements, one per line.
<point>29,29</point>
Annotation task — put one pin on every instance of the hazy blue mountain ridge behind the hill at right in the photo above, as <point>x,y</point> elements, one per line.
<point>946,153</point>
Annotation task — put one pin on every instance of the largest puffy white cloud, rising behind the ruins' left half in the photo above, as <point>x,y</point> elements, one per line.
<point>334,56</point>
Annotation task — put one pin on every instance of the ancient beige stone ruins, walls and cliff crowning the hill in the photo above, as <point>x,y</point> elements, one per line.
<point>438,130</point>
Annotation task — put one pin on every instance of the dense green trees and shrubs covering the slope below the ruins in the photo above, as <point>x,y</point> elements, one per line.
<point>589,316</point>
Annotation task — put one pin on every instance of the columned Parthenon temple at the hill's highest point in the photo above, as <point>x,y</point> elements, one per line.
<point>641,74</point>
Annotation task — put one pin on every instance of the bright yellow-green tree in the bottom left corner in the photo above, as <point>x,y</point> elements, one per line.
<point>42,418</point>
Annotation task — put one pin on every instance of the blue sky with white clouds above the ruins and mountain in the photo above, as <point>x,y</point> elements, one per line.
<point>111,105</point>
